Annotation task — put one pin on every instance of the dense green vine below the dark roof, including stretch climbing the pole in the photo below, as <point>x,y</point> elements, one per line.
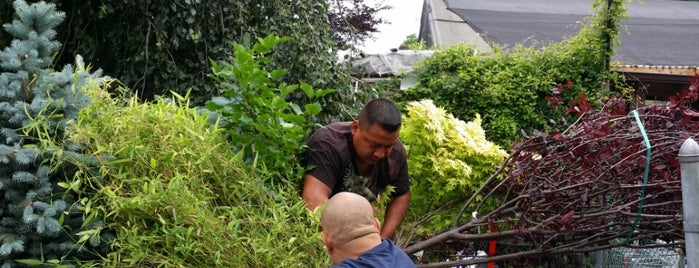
<point>508,88</point>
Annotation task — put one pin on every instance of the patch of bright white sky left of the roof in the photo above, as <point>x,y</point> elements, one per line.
<point>403,18</point>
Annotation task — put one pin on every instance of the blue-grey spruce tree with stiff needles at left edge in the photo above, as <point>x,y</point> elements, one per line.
<point>38,221</point>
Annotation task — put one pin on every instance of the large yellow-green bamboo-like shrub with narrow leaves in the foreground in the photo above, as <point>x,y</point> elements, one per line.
<point>178,196</point>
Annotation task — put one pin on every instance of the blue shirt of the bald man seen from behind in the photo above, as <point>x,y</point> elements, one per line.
<point>385,255</point>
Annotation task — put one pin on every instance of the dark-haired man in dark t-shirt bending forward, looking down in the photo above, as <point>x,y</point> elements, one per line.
<point>363,156</point>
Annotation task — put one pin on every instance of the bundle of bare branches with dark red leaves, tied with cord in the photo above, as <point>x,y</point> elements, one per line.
<point>610,179</point>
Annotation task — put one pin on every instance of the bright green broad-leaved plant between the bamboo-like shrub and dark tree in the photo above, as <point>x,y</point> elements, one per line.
<point>255,111</point>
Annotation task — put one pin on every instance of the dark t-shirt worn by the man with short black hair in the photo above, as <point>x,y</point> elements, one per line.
<point>330,154</point>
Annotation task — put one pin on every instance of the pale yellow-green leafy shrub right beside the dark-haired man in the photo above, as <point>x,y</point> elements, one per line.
<point>448,160</point>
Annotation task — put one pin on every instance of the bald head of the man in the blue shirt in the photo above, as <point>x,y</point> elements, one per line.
<point>348,216</point>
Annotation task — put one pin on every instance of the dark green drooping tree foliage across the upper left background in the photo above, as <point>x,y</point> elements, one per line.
<point>157,47</point>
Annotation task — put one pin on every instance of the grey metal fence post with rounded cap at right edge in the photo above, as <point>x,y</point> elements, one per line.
<point>689,164</point>
